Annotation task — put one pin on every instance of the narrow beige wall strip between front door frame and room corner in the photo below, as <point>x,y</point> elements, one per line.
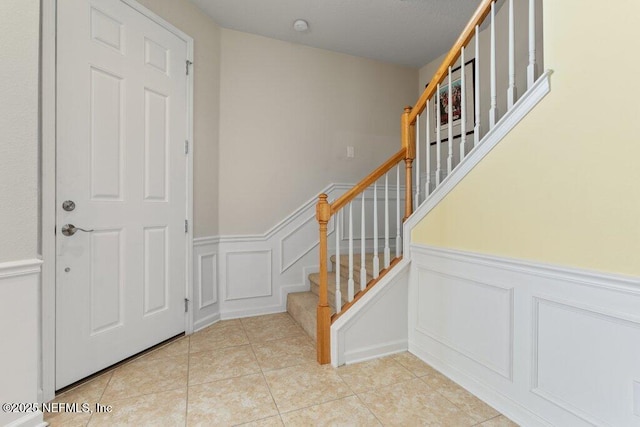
<point>206,35</point>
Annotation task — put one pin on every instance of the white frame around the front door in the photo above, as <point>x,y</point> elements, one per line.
<point>47,341</point>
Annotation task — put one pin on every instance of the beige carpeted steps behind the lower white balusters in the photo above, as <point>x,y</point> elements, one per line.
<point>302,305</point>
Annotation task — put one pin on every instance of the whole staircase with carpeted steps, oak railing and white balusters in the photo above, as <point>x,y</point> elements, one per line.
<point>471,102</point>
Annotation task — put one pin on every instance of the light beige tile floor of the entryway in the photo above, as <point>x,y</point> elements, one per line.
<point>262,371</point>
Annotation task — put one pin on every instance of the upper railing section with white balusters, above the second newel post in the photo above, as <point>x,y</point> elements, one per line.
<point>480,79</point>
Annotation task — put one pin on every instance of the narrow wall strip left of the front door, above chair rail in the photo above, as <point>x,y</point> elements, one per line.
<point>19,50</point>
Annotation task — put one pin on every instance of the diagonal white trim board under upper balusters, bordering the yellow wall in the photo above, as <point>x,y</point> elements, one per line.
<point>520,109</point>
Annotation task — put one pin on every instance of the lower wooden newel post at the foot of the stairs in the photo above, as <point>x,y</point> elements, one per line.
<point>323,214</point>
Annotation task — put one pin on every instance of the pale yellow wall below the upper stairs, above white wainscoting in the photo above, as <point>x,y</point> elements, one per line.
<point>562,187</point>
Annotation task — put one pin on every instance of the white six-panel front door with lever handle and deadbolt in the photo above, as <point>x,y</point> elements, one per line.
<point>121,131</point>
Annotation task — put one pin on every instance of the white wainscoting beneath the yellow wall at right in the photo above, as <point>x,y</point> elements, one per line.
<point>545,345</point>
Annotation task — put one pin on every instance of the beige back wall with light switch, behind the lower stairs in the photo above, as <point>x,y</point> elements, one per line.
<point>288,112</point>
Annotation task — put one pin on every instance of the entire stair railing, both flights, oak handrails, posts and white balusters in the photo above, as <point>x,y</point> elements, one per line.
<point>460,102</point>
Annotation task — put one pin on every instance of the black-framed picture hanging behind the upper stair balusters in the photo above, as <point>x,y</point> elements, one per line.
<point>443,98</point>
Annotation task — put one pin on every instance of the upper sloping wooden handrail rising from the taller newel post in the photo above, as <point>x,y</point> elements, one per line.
<point>469,31</point>
